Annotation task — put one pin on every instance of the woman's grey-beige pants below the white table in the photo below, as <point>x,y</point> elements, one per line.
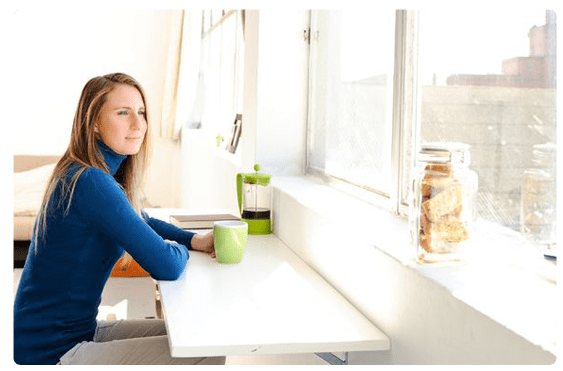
<point>130,342</point>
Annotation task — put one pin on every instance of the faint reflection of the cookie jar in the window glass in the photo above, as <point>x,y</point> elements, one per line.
<point>538,216</point>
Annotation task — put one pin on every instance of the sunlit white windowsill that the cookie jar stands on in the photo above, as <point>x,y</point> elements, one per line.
<point>512,284</point>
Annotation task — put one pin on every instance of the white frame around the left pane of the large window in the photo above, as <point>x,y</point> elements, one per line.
<point>405,113</point>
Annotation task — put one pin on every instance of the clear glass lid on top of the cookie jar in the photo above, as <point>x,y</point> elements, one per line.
<point>444,152</point>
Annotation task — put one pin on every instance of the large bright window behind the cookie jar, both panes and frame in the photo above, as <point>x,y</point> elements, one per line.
<point>383,81</point>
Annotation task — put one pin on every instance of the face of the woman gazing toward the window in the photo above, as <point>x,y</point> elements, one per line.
<point>123,123</point>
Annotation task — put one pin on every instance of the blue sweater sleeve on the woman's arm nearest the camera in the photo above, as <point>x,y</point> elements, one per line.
<point>105,207</point>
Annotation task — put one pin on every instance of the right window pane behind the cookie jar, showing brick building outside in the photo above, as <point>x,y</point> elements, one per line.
<point>488,78</point>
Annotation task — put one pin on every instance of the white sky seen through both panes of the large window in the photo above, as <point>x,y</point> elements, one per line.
<point>450,41</point>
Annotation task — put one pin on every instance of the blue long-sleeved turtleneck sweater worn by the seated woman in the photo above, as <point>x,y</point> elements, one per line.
<point>62,281</point>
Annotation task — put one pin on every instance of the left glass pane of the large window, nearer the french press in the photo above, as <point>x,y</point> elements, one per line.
<point>351,99</point>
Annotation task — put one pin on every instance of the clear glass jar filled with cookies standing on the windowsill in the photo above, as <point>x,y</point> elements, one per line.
<point>443,205</point>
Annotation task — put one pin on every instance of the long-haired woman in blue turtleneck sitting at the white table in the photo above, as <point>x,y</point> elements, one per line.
<point>90,215</point>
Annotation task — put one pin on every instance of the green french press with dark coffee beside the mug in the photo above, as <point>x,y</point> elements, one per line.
<point>253,193</point>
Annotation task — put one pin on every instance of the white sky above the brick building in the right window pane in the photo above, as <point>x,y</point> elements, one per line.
<point>473,41</point>
